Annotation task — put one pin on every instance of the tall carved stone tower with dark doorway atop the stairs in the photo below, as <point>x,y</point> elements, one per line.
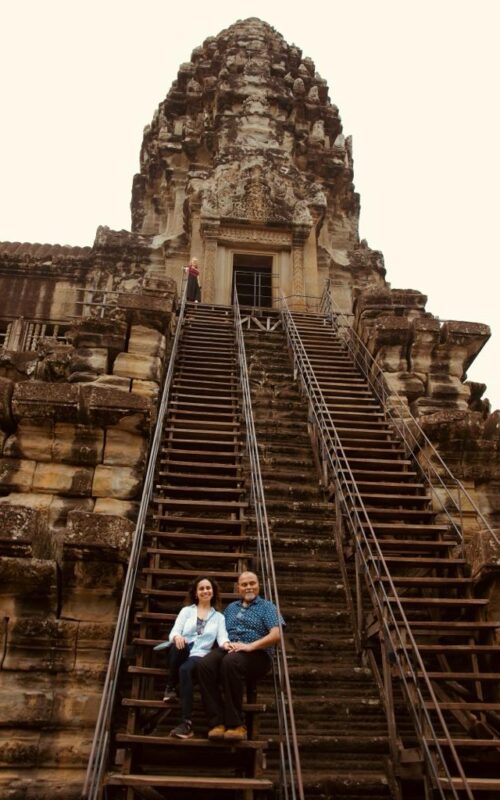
<point>246,167</point>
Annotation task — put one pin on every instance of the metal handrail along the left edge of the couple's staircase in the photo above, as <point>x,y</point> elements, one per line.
<point>100,745</point>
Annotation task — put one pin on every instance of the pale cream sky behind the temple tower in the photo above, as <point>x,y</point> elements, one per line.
<point>417,88</point>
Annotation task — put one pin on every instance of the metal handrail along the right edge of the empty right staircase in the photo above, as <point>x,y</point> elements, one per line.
<point>396,409</point>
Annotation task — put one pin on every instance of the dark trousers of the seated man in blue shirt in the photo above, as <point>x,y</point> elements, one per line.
<point>229,672</point>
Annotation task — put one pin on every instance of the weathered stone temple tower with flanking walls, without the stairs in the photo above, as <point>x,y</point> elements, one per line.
<point>246,167</point>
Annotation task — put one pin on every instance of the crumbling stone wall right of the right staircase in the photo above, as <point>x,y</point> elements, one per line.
<point>425,361</point>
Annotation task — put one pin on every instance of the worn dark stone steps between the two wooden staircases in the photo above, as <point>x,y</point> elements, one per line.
<point>340,722</point>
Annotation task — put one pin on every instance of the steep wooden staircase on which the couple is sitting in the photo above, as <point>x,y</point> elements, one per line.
<point>197,526</point>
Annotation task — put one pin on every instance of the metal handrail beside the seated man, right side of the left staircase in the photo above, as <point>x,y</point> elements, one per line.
<point>291,783</point>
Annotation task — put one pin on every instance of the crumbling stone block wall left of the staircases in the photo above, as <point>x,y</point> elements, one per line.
<point>76,415</point>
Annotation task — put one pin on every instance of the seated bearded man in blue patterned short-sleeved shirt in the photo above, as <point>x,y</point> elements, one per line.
<point>253,628</point>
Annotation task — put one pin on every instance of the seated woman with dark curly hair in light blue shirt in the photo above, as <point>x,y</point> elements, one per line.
<point>197,627</point>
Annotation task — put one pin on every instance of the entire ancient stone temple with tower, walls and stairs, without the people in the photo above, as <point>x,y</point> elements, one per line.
<point>245,166</point>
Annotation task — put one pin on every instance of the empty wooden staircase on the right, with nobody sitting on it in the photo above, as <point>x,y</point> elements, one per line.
<point>454,633</point>
